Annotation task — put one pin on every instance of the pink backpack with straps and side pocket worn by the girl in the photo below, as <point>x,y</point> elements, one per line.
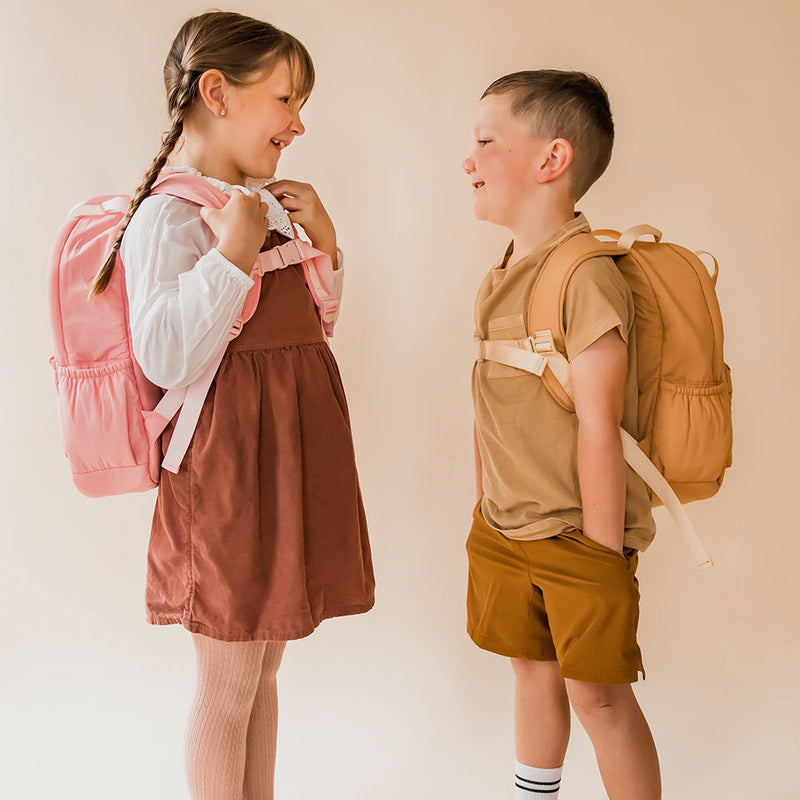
<point>111,416</point>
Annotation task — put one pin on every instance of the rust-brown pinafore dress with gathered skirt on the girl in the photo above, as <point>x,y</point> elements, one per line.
<point>261,534</point>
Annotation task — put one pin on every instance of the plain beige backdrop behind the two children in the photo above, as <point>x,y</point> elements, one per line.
<point>398,703</point>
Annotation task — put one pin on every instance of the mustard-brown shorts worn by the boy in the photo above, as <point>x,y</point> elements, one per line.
<point>566,598</point>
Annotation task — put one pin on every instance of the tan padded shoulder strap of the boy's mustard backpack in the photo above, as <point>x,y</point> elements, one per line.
<point>546,306</point>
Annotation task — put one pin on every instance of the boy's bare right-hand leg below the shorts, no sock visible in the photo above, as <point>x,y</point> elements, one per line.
<point>623,744</point>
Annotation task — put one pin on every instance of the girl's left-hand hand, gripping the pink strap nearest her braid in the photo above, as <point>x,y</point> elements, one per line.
<point>240,227</point>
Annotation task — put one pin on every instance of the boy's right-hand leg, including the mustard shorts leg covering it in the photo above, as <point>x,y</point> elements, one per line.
<point>592,599</point>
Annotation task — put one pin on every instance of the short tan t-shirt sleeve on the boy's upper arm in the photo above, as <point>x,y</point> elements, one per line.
<point>597,300</point>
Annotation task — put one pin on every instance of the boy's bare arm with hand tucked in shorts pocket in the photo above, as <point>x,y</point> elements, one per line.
<point>598,378</point>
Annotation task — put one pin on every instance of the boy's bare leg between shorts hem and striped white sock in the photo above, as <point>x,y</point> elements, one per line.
<point>541,713</point>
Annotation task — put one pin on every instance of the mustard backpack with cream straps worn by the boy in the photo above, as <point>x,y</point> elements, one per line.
<point>684,383</point>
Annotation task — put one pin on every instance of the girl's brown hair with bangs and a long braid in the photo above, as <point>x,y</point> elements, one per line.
<point>242,49</point>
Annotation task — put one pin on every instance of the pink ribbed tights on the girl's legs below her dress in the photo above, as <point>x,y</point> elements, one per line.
<point>233,726</point>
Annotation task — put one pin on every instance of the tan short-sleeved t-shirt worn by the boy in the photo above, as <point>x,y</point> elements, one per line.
<point>527,442</point>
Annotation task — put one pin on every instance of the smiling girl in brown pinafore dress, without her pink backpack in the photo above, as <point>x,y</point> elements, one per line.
<point>261,534</point>
